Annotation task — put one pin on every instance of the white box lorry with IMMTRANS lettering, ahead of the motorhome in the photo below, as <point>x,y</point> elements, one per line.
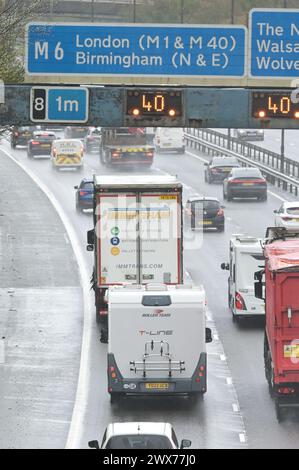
<point>137,235</point>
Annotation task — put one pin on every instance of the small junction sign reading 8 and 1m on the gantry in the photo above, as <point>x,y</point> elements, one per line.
<point>59,104</point>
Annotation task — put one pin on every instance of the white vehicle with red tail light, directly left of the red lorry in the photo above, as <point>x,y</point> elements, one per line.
<point>246,258</point>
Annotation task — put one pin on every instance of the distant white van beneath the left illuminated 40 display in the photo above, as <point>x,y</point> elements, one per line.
<point>169,139</point>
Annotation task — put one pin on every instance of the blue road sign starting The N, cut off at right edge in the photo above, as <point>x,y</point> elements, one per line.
<point>274,43</point>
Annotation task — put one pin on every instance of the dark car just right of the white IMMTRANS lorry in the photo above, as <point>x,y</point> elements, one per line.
<point>204,212</point>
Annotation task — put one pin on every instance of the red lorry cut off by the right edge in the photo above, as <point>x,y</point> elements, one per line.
<point>279,283</point>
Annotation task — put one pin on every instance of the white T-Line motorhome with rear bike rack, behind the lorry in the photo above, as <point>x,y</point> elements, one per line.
<point>157,340</point>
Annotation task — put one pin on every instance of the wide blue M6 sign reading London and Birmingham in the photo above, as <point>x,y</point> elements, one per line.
<point>136,50</point>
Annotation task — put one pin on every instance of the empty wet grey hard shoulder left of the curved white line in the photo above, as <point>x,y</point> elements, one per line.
<point>41,316</point>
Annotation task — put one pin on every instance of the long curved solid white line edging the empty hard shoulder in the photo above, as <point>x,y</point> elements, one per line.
<point>80,407</point>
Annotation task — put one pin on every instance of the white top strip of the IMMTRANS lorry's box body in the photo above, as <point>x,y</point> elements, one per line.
<point>136,181</point>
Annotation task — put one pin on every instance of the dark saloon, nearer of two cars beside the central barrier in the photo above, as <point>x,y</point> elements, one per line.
<point>245,182</point>
